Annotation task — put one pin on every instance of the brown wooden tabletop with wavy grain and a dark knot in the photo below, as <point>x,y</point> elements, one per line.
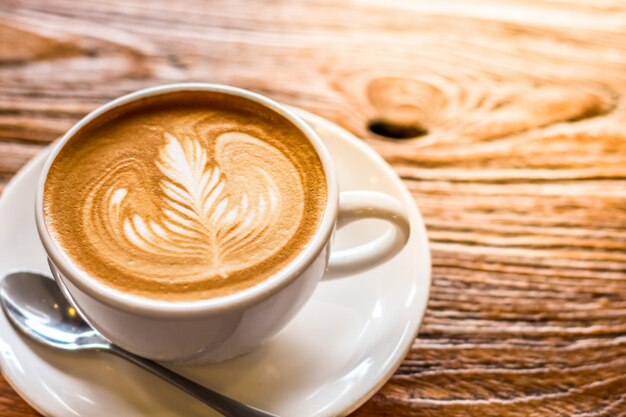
<point>506,120</point>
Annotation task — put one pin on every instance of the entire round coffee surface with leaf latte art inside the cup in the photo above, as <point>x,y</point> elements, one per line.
<point>185,196</point>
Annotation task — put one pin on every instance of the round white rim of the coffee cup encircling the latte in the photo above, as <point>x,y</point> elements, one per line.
<point>258,292</point>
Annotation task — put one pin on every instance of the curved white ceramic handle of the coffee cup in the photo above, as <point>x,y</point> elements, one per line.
<point>358,205</point>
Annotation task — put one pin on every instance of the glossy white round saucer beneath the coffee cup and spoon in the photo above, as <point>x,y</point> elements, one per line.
<point>341,348</point>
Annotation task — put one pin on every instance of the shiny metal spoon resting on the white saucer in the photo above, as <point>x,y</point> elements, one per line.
<point>36,306</point>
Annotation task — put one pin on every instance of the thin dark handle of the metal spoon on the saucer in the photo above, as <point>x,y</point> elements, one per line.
<point>224,405</point>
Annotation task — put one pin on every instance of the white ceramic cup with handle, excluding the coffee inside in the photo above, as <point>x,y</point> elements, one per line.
<point>221,328</point>
